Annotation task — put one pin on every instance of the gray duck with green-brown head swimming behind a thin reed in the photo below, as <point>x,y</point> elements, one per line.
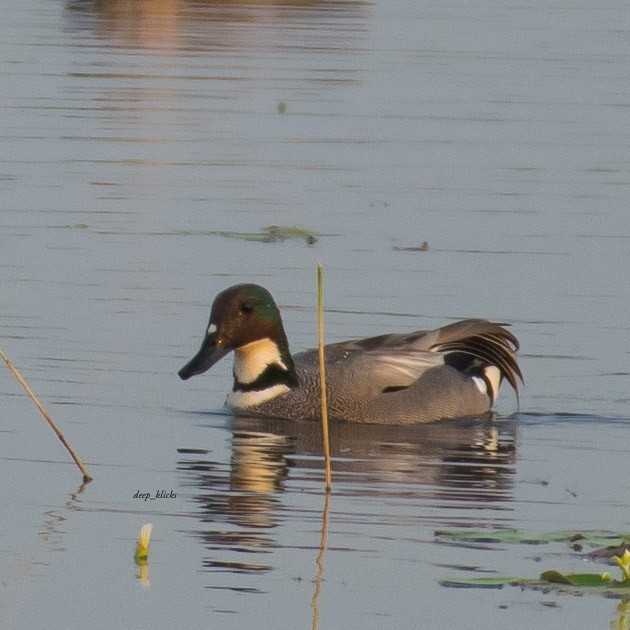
<point>402,378</point>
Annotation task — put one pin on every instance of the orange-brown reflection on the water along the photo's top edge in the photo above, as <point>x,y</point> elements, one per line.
<point>191,26</point>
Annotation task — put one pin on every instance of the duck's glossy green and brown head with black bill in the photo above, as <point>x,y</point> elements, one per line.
<point>241,315</point>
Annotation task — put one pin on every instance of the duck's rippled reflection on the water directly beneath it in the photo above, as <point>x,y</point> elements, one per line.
<point>428,472</point>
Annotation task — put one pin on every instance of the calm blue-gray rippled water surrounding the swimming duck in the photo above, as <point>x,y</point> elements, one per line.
<point>133,131</point>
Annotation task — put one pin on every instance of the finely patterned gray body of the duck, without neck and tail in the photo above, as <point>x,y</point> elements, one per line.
<point>357,375</point>
